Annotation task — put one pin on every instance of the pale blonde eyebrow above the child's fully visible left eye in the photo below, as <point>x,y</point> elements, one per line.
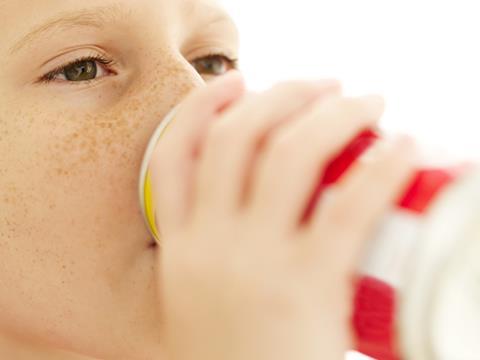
<point>92,17</point>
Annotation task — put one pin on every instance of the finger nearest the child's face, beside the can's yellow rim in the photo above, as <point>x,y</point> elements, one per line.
<point>171,165</point>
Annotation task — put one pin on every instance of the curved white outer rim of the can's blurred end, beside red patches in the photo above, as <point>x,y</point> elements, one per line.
<point>435,245</point>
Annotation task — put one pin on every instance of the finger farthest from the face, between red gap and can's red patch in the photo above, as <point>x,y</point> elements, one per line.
<point>359,201</point>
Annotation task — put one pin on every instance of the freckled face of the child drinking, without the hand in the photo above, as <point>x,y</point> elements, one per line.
<point>77,269</point>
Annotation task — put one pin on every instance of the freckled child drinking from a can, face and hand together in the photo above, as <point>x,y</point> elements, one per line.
<point>82,87</point>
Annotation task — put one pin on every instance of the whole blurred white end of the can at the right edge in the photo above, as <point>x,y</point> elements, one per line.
<point>440,309</point>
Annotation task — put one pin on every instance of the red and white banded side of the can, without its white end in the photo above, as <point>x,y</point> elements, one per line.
<point>375,304</point>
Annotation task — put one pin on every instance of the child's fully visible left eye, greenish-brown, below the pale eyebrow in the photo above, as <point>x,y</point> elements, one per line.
<point>80,70</point>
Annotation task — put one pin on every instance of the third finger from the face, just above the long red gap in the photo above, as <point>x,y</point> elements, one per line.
<point>289,168</point>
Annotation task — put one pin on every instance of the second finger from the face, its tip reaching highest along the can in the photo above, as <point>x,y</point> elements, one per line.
<point>232,142</point>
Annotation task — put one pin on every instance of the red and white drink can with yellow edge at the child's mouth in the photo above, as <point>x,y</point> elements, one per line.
<point>417,293</point>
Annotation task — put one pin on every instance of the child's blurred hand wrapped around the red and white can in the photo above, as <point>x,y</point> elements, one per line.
<point>241,279</point>
